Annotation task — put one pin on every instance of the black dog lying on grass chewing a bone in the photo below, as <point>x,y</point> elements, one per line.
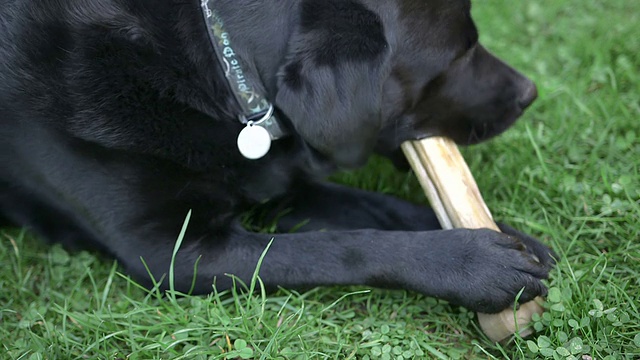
<point>117,119</point>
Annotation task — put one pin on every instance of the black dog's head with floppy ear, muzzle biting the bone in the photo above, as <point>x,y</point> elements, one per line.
<point>362,74</point>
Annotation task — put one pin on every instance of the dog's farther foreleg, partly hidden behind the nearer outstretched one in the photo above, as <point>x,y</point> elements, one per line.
<point>326,206</point>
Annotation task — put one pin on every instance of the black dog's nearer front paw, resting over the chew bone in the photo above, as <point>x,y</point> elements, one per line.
<point>484,270</point>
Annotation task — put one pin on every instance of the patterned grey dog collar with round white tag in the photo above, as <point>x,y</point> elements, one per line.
<point>254,141</point>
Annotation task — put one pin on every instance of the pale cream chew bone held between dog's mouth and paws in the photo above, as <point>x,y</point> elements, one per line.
<point>456,200</point>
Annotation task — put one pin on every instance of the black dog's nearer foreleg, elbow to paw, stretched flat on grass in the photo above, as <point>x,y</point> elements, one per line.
<point>480,269</point>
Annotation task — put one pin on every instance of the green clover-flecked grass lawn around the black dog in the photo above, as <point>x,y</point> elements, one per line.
<point>568,172</point>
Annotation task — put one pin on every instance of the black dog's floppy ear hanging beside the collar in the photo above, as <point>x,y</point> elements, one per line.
<point>330,86</point>
